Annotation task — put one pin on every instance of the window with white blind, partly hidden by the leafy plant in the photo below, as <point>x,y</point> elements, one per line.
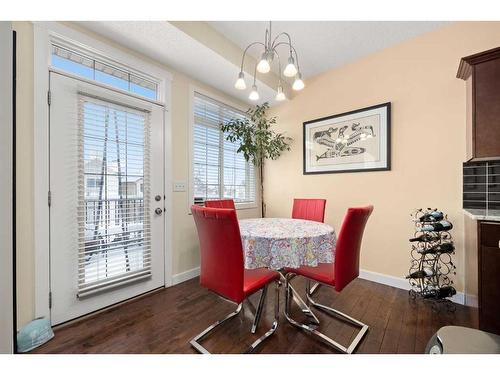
<point>219,171</point>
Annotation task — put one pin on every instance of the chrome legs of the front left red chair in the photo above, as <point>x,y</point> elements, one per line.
<point>195,342</point>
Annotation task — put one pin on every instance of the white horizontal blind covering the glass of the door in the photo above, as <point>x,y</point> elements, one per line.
<point>114,188</point>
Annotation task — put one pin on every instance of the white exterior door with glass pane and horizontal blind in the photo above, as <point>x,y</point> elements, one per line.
<point>106,197</point>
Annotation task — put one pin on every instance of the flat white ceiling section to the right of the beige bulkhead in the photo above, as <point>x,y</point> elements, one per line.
<point>324,45</point>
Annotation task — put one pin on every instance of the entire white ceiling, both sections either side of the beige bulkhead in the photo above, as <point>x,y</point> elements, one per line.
<point>321,45</point>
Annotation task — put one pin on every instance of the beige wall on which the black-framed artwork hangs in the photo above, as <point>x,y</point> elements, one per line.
<point>428,141</point>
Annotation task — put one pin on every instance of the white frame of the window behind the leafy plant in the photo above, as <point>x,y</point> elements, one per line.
<point>193,90</point>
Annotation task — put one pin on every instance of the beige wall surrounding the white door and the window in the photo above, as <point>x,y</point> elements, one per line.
<point>185,246</point>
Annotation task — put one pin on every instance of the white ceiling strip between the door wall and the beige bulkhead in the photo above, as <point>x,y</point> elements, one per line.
<point>167,44</point>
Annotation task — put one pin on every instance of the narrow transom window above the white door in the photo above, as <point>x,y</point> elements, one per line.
<point>87,67</point>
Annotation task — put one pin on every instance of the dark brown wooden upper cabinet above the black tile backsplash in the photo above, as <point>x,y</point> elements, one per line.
<point>481,72</point>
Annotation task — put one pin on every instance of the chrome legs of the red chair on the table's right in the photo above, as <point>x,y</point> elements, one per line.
<point>335,313</point>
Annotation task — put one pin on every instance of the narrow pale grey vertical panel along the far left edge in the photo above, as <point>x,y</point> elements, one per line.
<point>6,138</point>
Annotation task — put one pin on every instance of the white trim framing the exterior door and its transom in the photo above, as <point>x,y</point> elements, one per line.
<point>43,32</point>
